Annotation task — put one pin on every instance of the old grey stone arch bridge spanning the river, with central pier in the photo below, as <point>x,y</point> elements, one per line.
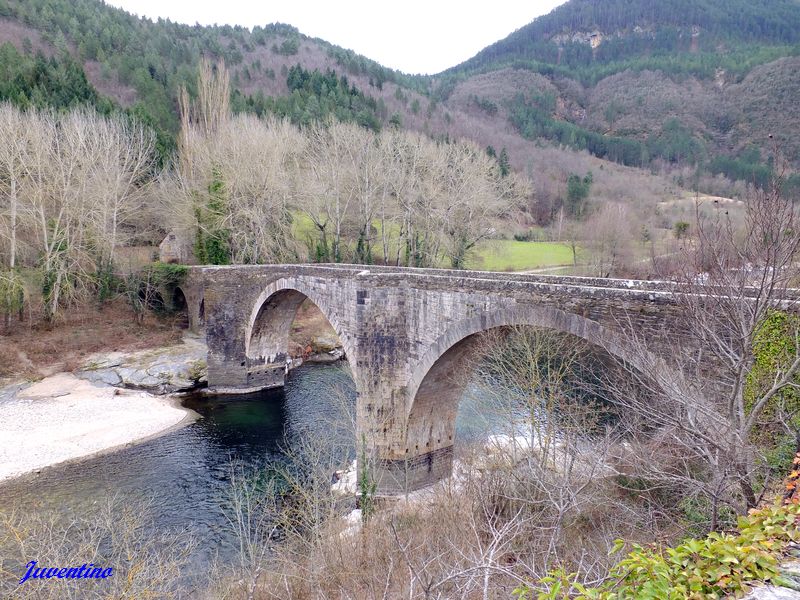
<point>404,331</point>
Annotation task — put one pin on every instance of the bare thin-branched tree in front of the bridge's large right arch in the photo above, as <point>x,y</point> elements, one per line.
<point>554,460</point>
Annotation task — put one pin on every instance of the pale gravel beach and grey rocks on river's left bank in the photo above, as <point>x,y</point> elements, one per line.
<point>112,400</point>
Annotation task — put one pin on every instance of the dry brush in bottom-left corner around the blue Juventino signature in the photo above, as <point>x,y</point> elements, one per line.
<point>119,535</point>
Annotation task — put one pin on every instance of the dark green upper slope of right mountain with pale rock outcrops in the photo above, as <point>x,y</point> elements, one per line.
<point>586,32</point>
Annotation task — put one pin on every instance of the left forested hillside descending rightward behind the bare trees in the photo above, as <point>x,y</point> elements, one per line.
<point>137,67</point>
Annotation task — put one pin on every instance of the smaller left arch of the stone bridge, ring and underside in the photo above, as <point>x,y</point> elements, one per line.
<point>269,324</point>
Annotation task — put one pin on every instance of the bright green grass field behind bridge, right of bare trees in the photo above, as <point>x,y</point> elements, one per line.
<point>511,255</point>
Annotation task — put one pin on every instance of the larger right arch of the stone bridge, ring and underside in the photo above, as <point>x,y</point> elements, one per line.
<point>434,392</point>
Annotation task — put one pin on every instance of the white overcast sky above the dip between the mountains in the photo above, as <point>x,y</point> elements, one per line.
<point>415,36</point>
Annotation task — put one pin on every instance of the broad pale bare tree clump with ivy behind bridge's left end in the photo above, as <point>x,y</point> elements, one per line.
<point>238,185</point>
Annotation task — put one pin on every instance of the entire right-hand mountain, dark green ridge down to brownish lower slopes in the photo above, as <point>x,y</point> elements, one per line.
<point>707,84</point>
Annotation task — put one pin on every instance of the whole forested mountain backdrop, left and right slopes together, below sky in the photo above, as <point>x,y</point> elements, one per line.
<point>653,100</point>
